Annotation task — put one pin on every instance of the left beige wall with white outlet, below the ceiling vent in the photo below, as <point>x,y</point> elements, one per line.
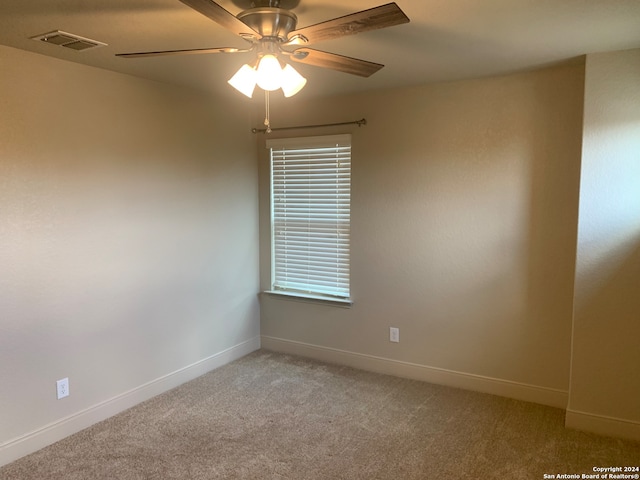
<point>128,235</point>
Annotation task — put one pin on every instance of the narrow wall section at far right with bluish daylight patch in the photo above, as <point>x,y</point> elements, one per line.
<point>605,373</point>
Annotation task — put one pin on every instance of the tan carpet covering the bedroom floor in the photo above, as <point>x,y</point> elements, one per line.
<point>274,416</point>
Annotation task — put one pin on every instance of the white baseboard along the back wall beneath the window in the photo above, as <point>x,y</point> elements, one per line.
<point>440,376</point>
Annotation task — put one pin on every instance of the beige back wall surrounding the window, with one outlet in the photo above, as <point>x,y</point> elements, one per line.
<point>464,217</point>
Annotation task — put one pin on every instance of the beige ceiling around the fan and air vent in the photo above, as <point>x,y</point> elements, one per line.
<point>445,40</point>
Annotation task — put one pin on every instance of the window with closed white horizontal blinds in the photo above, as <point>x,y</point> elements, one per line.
<point>310,216</point>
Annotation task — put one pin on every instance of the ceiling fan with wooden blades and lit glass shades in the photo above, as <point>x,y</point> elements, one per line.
<point>271,28</point>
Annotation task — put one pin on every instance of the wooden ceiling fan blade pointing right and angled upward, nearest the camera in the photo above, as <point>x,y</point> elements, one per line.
<point>372,19</point>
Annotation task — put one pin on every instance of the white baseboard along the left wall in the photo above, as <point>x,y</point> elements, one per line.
<point>33,441</point>
